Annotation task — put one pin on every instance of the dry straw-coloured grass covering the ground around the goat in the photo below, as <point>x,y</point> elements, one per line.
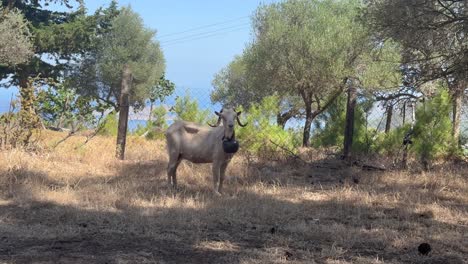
<point>71,205</point>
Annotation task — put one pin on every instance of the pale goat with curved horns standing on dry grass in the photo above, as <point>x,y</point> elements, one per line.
<point>202,144</point>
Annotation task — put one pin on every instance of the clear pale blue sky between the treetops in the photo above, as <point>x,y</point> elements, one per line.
<point>198,38</point>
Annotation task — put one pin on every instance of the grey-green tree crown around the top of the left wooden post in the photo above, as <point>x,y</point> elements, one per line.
<point>127,41</point>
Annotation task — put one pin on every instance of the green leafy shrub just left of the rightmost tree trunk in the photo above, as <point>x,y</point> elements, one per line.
<point>432,131</point>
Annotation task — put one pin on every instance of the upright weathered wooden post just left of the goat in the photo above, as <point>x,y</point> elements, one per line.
<point>123,113</point>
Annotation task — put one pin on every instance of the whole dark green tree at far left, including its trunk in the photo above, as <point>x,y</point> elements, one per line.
<point>57,39</point>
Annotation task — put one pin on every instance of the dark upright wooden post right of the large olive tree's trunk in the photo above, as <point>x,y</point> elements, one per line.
<point>349,128</point>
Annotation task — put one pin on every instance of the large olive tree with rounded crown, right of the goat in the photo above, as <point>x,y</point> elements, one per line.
<point>309,49</point>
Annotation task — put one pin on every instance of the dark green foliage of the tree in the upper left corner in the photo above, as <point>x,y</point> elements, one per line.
<point>60,35</point>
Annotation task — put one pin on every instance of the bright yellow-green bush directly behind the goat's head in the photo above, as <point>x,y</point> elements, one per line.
<point>262,130</point>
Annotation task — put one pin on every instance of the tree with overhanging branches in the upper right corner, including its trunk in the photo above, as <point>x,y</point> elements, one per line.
<point>434,41</point>
